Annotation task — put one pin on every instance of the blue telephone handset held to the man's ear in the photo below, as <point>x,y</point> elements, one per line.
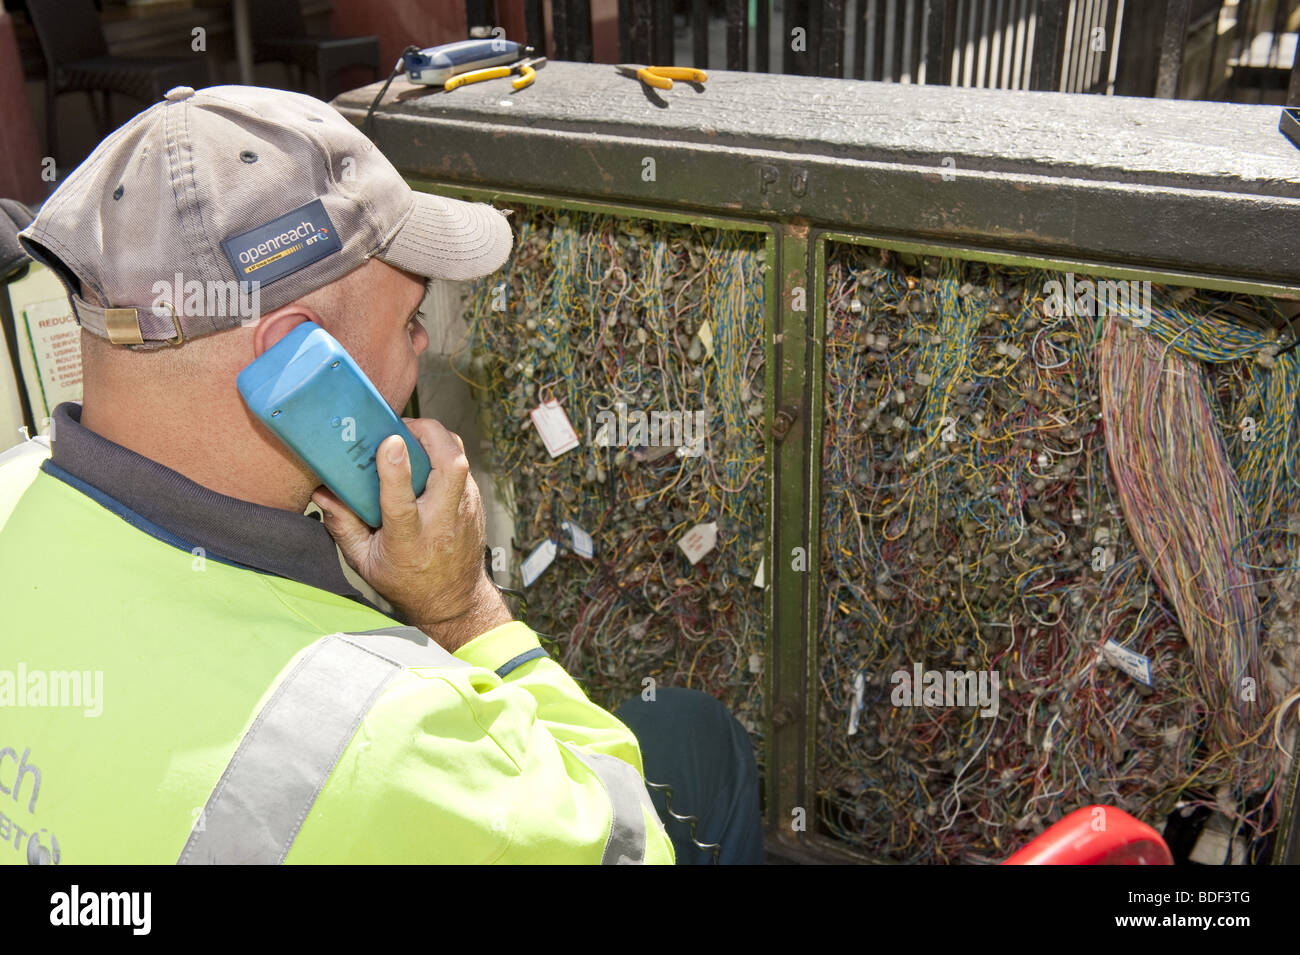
<point>313,396</point>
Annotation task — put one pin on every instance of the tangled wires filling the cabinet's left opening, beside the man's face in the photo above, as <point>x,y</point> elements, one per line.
<point>616,318</point>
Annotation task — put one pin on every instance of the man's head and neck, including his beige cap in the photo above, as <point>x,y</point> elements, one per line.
<point>211,224</point>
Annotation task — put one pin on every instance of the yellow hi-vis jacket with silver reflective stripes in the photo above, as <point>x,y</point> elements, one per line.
<point>162,706</point>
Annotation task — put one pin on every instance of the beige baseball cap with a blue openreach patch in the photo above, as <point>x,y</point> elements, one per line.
<point>211,201</point>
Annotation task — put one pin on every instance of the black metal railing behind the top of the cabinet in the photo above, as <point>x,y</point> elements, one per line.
<point>1128,47</point>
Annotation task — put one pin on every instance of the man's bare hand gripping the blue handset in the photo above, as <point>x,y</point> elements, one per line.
<point>428,558</point>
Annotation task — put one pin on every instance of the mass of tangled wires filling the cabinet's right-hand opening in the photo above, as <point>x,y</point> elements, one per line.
<point>972,524</point>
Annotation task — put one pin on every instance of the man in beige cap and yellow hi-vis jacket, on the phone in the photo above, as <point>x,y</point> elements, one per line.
<point>198,681</point>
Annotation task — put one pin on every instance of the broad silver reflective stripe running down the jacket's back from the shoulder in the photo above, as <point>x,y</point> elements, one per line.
<point>272,782</point>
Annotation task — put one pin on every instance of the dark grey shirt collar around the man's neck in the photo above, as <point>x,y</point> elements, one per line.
<point>228,529</point>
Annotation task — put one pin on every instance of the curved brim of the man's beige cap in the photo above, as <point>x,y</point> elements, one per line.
<point>448,238</point>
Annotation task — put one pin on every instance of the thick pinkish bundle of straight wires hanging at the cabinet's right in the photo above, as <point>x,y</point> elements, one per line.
<point>1185,511</point>
